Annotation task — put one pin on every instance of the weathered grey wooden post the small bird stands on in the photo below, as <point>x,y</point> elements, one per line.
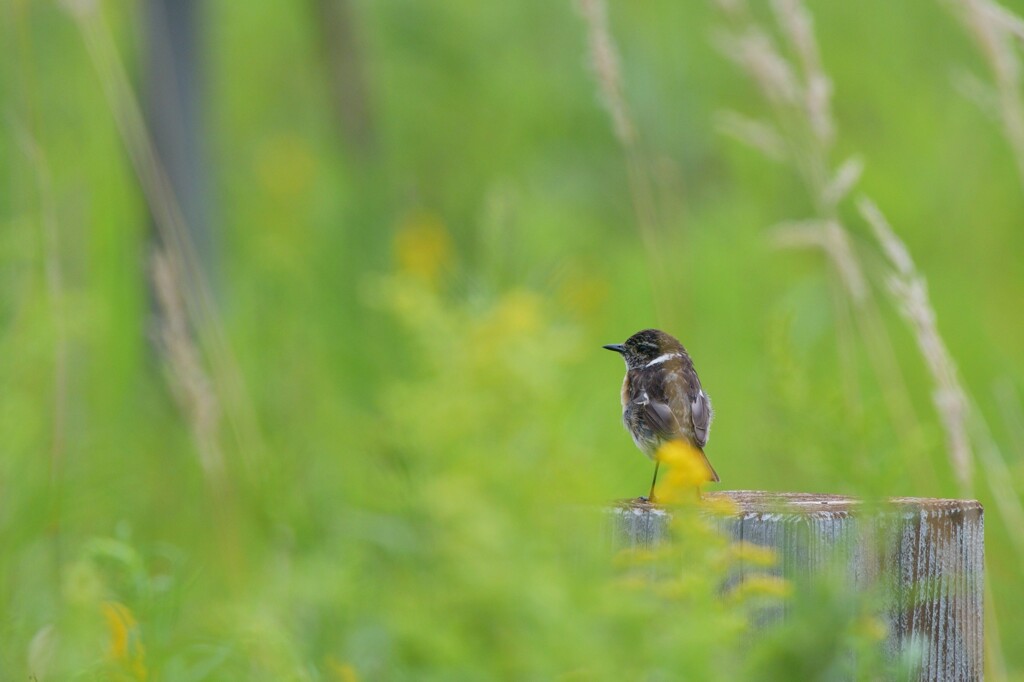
<point>928,553</point>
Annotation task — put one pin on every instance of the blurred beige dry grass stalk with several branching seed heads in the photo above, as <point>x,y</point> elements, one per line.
<point>802,133</point>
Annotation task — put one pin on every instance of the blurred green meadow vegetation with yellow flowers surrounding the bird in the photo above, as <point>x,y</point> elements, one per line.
<point>412,500</point>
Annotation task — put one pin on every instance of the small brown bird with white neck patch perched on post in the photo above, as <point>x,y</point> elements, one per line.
<point>662,397</point>
